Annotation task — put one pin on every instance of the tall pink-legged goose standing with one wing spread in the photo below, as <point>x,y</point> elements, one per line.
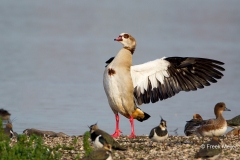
<point>127,86</point>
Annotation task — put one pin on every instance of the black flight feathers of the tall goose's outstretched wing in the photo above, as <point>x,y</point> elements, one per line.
<point>186,74</point>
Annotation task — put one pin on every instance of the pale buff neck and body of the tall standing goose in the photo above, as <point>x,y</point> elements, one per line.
<point>119,88</point>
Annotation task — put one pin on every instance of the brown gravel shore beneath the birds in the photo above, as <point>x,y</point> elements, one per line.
<point>141,148</point>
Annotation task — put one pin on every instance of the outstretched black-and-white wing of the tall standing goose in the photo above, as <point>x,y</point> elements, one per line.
<point>165,77</point>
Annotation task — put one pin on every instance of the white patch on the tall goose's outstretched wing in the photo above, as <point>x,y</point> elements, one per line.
<point>152,71</point>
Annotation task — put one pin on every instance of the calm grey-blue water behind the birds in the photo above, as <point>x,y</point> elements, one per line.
<point>52,58</point>
